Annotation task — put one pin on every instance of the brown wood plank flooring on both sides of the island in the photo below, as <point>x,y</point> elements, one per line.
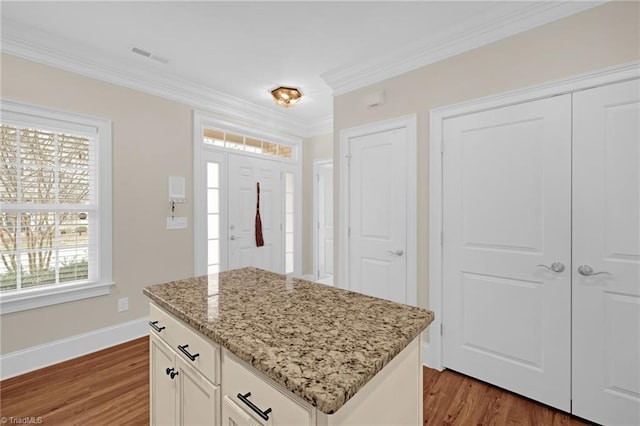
<point>111,387</point>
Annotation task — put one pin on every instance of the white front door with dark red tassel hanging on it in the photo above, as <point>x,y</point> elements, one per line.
<point>243,174</point>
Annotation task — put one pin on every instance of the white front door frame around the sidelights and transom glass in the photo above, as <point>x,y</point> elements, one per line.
<point>205,152</point>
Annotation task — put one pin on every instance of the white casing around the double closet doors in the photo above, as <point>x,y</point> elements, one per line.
<point>433,349</point>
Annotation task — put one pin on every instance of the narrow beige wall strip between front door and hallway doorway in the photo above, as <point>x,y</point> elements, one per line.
<point>315,148</point>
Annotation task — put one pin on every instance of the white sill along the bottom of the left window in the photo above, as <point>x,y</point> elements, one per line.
<point>50,295</point>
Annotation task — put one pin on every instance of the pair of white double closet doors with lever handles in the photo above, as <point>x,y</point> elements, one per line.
<point>541,250</point>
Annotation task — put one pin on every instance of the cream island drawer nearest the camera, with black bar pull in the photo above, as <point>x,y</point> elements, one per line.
<point>245,390</point>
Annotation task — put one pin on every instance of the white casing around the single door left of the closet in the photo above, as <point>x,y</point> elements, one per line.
<point>341,258</point>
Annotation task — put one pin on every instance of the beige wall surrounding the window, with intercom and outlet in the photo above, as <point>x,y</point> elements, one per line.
<point>151,140</point>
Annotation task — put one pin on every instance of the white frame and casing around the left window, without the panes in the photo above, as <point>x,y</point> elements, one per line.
<point>35,297</point>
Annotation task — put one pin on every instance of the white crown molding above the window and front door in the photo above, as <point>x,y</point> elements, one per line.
<point>35,45</point>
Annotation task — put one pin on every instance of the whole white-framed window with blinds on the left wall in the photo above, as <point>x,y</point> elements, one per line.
<point>55,207</point>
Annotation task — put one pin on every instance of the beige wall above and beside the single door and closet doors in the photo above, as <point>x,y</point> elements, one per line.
<point>597,38</point>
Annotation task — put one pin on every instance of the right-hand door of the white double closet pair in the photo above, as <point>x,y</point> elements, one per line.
<point>606,254</point>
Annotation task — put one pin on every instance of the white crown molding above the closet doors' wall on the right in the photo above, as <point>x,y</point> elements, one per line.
<point>476,33</point>
